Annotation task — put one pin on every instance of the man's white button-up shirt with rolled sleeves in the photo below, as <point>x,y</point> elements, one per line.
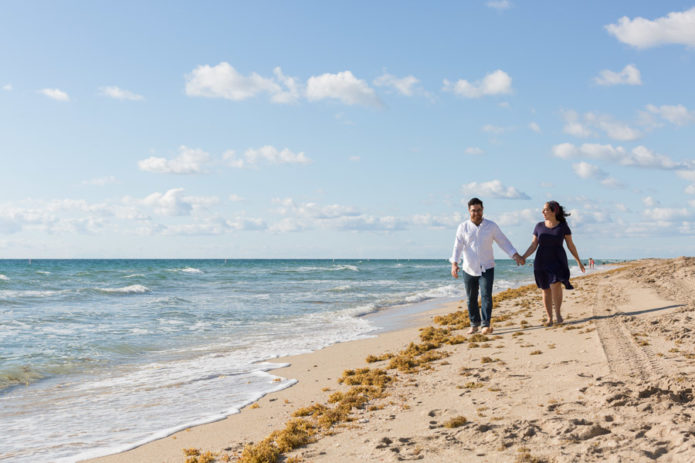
<point>475,243</point>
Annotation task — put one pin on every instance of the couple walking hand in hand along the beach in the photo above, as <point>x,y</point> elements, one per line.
<point>474,239</point>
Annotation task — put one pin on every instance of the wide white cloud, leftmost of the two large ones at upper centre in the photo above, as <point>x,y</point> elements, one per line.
<point>223,81</point>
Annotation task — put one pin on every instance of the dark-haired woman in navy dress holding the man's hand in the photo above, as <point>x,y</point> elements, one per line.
<point>550,266</point>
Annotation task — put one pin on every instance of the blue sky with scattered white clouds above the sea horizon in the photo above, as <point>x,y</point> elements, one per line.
<point>360,129</point>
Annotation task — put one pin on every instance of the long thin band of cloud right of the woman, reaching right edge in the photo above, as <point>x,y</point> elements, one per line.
<point>640,156</point>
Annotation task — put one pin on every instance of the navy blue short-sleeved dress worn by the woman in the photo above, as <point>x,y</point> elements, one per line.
<point>550,265</point>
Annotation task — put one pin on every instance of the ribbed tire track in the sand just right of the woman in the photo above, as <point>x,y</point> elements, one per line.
<point>625,357</point>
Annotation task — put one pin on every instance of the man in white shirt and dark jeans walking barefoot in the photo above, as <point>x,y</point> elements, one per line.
<point>474,239</point>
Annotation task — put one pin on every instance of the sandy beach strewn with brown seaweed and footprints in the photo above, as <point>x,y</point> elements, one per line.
<point>613,383</point>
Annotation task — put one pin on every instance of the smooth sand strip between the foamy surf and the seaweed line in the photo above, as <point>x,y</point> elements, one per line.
<point>344,355</point>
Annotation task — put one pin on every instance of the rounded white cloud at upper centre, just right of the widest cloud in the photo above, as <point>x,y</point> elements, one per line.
<point>343,86</point>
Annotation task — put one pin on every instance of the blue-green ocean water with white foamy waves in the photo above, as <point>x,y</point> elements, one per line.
<point>99,356</point>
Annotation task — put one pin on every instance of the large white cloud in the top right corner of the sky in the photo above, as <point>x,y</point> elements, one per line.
<point>675,28</point>
